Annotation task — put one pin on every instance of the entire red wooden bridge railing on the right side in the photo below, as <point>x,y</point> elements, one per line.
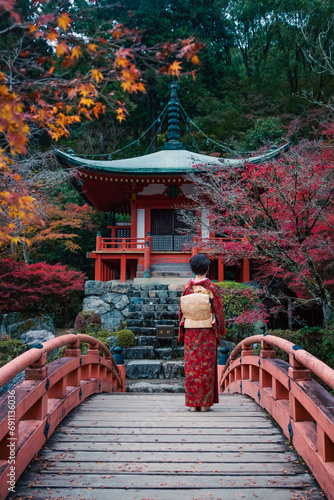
<point>302,407</point>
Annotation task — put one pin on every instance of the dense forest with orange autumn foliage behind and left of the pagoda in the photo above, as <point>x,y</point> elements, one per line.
<point>264,75</point>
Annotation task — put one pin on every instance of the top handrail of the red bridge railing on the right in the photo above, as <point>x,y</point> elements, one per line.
<point>312,363</point>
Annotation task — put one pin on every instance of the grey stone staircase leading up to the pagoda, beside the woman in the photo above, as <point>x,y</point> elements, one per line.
<point>152,358</point>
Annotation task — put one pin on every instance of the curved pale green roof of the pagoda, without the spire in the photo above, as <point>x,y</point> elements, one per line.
<point>161,162</point>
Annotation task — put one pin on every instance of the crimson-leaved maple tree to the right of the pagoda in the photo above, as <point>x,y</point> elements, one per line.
<point>281,213</point>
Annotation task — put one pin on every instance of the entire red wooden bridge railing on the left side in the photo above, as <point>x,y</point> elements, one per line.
<point>31,410</point>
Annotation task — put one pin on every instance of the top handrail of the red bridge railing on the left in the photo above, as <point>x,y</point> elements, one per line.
<point>20,363</point>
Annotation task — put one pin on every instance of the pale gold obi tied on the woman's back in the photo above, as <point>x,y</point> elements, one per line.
<point>196,308</point>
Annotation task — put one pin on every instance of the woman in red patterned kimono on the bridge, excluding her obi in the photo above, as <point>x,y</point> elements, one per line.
<point>200,344</point>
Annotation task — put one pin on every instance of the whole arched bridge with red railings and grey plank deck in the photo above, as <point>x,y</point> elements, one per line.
<point>117,445</point>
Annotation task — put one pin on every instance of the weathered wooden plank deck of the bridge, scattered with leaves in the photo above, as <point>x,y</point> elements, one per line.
<point>149,446</point>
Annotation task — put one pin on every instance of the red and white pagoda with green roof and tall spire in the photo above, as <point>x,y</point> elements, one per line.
<point>151,188</point>
